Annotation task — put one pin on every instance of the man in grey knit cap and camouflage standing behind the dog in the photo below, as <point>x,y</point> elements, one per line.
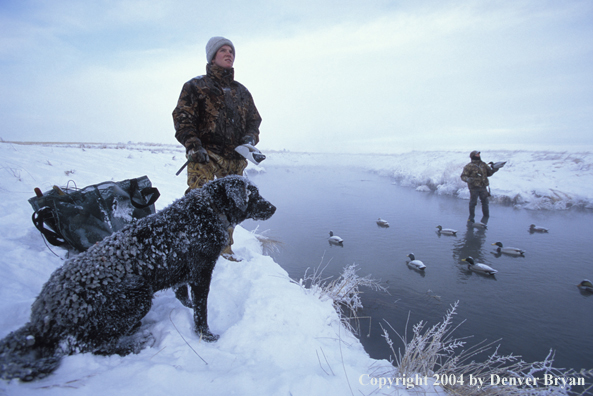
<point>214,115</point>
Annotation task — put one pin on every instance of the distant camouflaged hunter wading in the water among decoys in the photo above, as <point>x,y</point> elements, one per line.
<point>476,175</point>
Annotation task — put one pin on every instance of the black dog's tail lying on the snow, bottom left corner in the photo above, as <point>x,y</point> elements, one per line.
<point>24,357</point>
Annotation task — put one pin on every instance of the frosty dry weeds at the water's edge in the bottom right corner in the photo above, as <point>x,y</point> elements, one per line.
<point>433,353</point>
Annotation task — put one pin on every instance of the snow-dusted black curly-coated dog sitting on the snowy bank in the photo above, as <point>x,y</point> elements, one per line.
<point>95,301</point>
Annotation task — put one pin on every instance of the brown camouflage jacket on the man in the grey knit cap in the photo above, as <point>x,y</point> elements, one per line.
<point>216,112</point>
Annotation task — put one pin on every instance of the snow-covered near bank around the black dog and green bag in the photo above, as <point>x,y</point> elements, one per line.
<point>277,338</point>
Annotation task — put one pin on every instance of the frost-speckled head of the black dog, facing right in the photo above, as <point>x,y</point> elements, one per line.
<point>239,199</point>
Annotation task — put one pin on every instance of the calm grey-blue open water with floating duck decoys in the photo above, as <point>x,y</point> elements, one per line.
<point>532,304</point>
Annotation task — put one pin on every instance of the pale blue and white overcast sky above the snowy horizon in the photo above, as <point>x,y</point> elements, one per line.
<point>338,76</point>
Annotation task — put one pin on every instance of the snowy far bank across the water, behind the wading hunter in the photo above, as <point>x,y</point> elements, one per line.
<point>530,180</point>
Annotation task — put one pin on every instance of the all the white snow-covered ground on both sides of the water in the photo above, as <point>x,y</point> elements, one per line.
<point>277,338</point>
